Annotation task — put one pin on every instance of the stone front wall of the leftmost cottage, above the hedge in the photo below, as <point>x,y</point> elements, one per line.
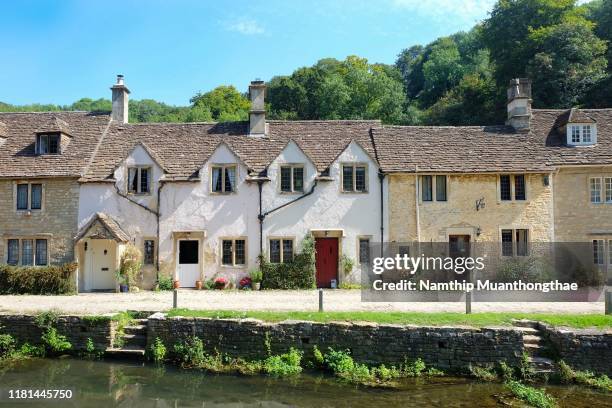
<point>56,221</point>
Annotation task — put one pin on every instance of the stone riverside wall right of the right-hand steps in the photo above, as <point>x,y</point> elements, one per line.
<point>582,349</point>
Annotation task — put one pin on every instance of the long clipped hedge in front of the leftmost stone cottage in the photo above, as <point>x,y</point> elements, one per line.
<point>37,280</point>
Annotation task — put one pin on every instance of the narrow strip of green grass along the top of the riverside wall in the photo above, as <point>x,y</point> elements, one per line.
<point>421,319</point>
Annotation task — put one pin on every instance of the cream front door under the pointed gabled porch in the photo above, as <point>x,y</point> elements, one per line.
<point>100,264</point>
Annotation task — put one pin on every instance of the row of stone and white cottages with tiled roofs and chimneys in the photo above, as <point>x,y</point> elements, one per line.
<point>206,199</point>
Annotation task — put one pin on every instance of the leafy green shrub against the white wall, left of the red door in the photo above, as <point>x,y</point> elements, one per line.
<point>297,274</point>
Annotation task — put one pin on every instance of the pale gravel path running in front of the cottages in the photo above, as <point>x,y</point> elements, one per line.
<point>303,300</point>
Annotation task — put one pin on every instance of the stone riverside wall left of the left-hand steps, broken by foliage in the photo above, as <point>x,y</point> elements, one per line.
<point>77,329</point>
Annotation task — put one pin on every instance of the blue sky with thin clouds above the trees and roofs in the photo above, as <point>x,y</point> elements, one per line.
<point>60,51</point>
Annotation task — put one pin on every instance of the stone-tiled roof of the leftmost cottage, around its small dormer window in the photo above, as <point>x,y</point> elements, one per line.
<point>17,156</point>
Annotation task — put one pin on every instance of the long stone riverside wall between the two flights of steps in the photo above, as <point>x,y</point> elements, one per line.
<point>443,347</point>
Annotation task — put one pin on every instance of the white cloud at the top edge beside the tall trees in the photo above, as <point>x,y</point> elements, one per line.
<point>463,11</point>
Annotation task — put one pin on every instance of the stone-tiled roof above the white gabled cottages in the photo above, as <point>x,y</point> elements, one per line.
<point>184,148</point>
